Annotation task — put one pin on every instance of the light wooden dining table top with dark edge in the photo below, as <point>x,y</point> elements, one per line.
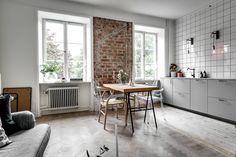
<point>125,88</point>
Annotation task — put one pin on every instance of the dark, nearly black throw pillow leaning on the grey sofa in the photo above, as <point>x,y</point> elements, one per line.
<point>8,124</point>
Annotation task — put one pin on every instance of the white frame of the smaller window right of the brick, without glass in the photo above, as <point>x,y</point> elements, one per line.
<point>143,78</point>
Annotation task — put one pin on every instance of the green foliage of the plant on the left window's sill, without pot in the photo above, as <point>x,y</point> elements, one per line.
<point>51,67</point>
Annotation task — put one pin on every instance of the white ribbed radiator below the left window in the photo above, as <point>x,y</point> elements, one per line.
<point>63,97</point>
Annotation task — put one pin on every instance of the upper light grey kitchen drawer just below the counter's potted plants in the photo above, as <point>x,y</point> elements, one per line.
<point>181,85</point>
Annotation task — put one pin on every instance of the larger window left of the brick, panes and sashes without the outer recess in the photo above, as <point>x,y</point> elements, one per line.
<point>64,44</point>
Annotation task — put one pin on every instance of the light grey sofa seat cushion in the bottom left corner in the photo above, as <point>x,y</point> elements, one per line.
<point>28,143</point>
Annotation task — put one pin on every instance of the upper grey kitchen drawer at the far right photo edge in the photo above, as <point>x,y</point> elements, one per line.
<point>222,89</point>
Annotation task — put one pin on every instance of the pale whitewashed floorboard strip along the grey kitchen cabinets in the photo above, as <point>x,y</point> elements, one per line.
<point>214,133</point>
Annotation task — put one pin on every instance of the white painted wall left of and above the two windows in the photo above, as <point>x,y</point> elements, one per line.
<point>18,36</point>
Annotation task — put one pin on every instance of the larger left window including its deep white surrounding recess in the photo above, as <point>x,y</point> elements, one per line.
<point>64,41</point>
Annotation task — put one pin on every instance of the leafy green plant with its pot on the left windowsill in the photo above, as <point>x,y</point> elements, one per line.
<point>50,71</point>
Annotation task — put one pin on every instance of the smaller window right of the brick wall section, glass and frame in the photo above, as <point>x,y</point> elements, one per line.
<point>145,55</point>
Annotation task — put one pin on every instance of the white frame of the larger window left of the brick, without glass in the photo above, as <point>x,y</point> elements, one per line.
<point>65,24</point>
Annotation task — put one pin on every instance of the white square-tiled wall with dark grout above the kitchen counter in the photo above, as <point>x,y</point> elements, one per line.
<point>199,25</point>
